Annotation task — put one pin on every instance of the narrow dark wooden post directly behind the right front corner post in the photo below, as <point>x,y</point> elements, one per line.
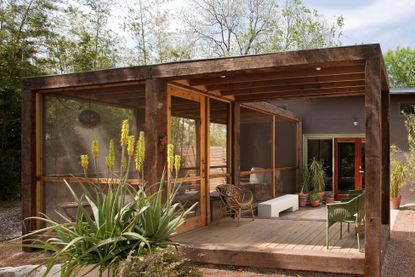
<point>386,159</point>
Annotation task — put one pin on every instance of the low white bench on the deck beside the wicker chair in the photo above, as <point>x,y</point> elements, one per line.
<point>273,207</point>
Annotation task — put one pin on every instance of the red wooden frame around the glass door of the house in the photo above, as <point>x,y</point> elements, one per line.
<point>357,162</point>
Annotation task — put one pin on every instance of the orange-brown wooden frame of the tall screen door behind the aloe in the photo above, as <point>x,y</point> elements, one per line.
<point>183,93</point>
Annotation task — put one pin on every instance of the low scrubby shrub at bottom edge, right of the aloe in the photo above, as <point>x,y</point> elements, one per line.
<point>162,262</point>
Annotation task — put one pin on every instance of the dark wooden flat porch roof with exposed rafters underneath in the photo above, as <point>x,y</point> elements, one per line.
<point>338,71</point>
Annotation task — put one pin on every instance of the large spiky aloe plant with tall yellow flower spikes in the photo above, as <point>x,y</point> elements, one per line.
<point>111,222</point>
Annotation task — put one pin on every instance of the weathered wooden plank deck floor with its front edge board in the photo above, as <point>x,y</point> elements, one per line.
<point>272,243</point>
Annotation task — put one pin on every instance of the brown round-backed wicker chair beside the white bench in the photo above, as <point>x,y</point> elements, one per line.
<point>234,201</point>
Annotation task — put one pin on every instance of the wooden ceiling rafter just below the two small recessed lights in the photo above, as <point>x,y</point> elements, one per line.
<point>282,82</point>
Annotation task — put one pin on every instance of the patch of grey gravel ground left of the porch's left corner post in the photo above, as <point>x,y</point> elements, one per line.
<point>10,220</point>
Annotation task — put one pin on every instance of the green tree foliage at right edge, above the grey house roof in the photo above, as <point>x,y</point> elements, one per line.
<point>400,64</point>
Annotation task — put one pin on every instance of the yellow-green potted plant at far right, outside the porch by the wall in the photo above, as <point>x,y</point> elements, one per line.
<point>399,174</point>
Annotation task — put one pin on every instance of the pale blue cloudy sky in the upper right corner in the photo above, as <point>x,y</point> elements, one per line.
<point>388,22</point>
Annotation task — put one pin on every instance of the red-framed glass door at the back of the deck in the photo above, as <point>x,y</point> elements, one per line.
<point>349,165</point>
